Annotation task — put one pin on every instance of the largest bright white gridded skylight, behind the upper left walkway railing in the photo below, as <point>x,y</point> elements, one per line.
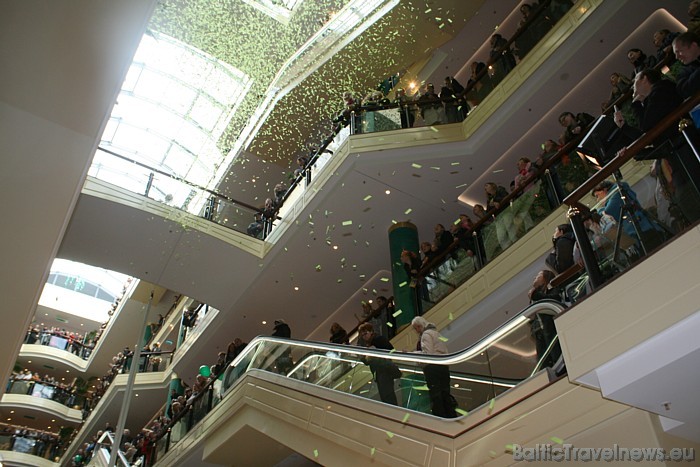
<point>175,104</point>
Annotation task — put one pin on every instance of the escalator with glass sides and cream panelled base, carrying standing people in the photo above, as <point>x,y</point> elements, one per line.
<point>320,400</point>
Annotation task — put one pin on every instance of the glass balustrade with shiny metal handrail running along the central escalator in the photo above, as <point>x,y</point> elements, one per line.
<point>478,374</point>
